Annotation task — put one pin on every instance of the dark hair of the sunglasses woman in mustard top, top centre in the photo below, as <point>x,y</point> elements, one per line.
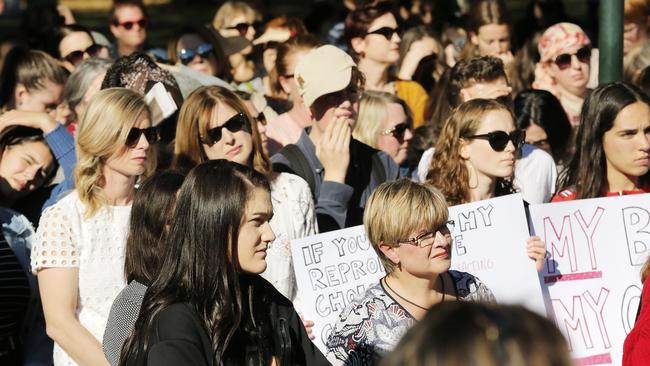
<point>358,21</point>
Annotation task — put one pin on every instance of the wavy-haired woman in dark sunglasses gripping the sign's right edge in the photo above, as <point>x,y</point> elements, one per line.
<point>474,158</point>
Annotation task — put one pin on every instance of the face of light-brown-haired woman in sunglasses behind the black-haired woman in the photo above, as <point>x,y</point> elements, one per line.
<point>233,146</point>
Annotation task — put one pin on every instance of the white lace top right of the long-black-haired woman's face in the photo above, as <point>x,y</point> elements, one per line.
<point>293,218</point>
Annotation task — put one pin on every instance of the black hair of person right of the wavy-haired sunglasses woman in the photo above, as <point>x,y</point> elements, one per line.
<point>544,109</point>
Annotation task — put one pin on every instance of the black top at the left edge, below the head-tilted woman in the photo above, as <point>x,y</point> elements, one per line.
<point>14,291</point>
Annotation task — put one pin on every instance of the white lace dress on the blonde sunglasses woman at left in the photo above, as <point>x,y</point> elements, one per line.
<point>66,239</point>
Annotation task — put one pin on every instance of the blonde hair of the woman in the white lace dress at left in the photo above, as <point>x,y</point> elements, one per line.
<point>102,132</point>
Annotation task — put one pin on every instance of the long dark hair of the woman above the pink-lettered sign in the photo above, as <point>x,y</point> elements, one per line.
<point>587,171</point>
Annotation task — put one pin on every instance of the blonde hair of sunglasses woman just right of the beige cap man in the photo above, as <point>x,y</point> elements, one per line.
<point>373,111</point>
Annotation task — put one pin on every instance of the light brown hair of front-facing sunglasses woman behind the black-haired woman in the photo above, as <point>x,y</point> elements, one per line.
<point>194,121</point>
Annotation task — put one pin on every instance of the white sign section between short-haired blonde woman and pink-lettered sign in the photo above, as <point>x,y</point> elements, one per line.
<point>490,243</point>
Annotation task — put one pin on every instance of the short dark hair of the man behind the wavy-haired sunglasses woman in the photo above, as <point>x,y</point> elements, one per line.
<point>468,72</point>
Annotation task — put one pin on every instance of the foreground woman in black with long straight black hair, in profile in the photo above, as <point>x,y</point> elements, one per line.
<point>209,306</point>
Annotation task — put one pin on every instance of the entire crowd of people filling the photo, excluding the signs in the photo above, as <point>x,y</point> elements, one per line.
<point>150,195</point>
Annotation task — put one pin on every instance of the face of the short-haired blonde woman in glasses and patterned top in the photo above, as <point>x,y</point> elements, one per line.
<point>432,259</point>
